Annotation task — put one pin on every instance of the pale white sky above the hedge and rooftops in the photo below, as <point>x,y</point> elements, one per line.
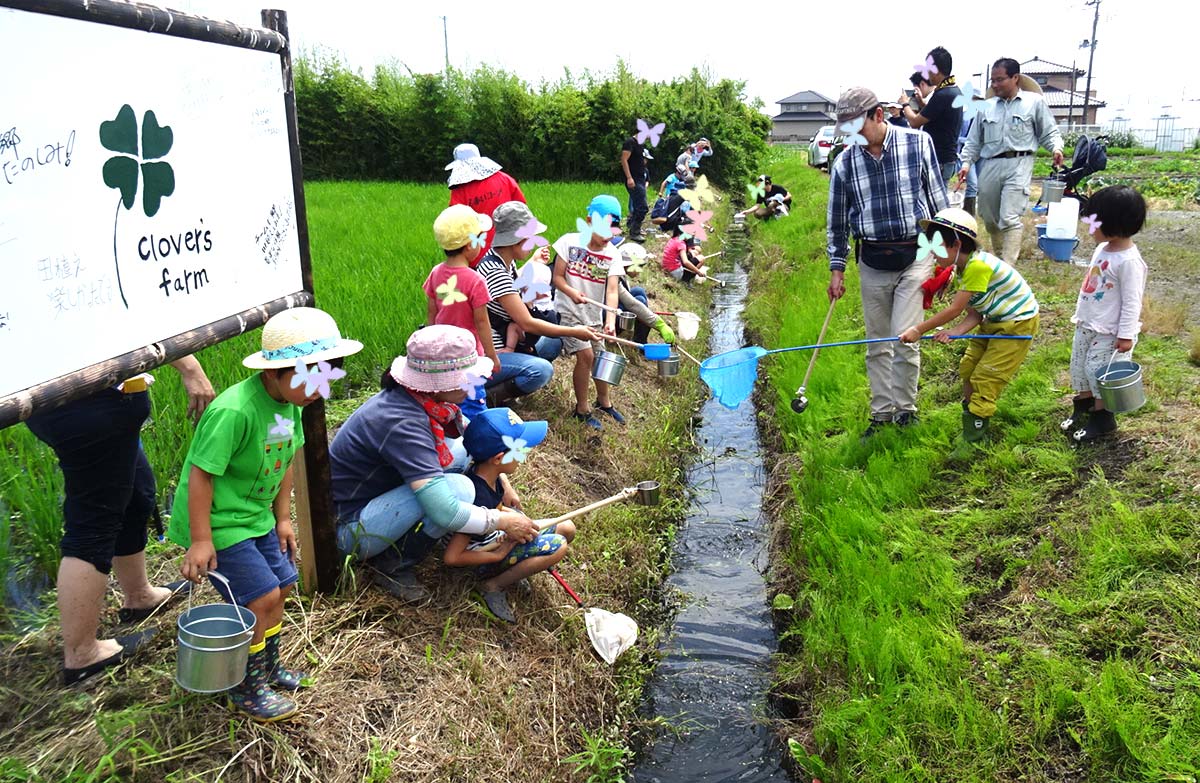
<point>1142,58</point>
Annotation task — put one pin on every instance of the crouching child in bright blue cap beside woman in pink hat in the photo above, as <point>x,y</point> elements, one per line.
<point>499,441</point>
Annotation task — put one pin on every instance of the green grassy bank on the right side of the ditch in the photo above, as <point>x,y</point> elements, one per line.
<point>1033,615</point>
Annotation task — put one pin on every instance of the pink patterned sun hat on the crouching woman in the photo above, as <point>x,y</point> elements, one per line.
<point>440,360</point>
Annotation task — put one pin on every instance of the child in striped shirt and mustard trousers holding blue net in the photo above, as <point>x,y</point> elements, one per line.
<point>995,298</point>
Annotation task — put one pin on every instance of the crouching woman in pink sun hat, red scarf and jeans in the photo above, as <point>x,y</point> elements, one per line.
<point>398,464</point>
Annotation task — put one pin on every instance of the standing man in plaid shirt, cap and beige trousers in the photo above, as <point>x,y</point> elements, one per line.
<point>880,189</point>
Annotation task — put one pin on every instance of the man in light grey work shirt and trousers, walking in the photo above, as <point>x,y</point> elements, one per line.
<point>1005,139</point>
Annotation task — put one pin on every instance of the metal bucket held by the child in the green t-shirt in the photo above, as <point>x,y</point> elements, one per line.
<point>214,645</point>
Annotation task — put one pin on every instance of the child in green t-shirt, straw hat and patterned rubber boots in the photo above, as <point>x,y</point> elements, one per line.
<point>233,509</point>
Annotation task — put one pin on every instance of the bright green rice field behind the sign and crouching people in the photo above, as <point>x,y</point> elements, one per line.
<point>373,247</point>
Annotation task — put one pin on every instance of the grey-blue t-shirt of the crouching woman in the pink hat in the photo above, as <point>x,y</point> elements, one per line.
<point>386,444</point>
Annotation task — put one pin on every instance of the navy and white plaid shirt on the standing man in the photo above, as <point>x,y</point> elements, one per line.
<point>883,200</point>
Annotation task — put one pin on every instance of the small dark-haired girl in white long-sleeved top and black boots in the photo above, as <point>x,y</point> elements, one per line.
<point>1108,313</point>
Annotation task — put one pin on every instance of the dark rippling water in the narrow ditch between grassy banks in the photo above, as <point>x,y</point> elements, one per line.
<point>715,672</point>
